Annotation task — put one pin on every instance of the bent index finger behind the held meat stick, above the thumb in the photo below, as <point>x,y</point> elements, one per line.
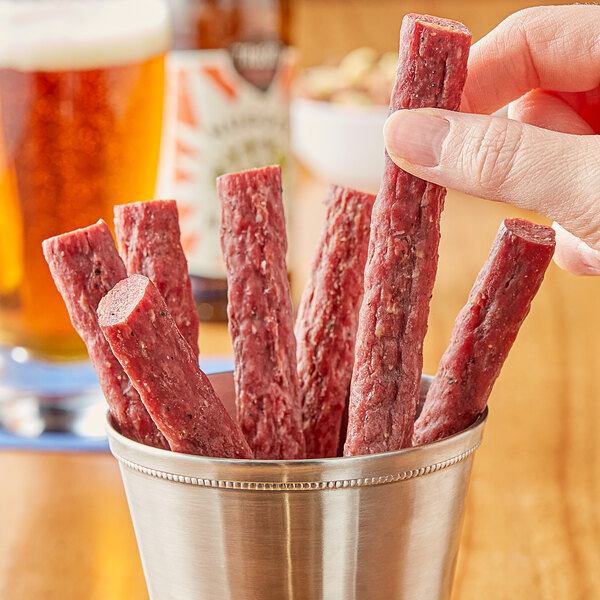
<point>552,47</point>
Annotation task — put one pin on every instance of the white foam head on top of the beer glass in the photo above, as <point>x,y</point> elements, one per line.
<point>59,35</point>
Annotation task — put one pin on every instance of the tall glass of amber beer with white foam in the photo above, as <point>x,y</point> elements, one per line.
<point>81,101</point>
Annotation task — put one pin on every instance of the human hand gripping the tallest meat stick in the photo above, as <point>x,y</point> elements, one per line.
<point>545,158</point>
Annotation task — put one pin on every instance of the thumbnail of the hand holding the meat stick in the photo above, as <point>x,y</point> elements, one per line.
<point>416,137</point>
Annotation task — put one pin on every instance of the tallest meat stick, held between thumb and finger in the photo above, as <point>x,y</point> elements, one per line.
<point>403,248</point>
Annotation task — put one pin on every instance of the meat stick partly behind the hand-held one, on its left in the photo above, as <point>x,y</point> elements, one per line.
<point>328,317</point>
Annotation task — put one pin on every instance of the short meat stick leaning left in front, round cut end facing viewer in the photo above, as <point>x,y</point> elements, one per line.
<point>164,369</point>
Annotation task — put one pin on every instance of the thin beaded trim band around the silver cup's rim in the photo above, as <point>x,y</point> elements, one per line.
<point>288,486</point>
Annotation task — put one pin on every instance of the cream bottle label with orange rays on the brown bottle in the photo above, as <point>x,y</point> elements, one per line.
<point>226,110</point>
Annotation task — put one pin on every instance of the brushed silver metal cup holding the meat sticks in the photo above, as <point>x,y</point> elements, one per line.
<point>384,526</point>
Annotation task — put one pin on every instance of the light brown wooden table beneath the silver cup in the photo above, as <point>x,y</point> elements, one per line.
<point>532,526</point>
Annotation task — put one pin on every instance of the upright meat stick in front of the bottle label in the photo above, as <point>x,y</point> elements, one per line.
<point>254,245</point>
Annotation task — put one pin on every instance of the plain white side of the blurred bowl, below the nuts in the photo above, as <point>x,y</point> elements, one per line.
<point>340,143</point>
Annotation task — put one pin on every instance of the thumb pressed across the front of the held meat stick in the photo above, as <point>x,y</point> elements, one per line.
<point>554,174</point>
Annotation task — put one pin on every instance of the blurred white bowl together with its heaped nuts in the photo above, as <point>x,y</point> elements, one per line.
<point>338,105</point>
